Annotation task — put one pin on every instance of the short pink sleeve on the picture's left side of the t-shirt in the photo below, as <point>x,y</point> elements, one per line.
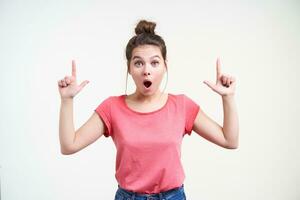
<point>104,112</point>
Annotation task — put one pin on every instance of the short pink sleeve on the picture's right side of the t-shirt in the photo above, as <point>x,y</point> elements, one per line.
<point>191,110</point>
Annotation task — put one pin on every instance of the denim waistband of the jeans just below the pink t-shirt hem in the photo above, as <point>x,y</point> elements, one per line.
<point>160,194</point>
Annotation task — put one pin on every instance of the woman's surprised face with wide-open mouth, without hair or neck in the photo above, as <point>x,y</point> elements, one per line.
<point>147,68</point>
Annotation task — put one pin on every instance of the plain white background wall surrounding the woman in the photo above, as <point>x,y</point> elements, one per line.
<point>257,42</point>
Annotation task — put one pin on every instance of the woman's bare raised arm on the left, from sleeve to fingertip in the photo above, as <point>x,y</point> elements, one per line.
<point>72,141</point>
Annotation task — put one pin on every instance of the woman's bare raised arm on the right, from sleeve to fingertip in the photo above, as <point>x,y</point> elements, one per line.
<point>228,135</point>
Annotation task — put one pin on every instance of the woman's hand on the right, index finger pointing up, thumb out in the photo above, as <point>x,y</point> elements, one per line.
<point>225,85</point>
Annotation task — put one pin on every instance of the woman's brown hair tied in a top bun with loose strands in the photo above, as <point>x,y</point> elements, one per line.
<point>145,35</point>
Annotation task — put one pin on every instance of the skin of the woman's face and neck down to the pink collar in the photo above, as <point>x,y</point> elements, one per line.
<point>147,63</point>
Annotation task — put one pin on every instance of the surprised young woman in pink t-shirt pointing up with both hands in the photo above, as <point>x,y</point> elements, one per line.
<point>148,126</point>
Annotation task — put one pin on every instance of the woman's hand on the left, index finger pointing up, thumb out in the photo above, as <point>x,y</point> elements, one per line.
<point>68,86</point>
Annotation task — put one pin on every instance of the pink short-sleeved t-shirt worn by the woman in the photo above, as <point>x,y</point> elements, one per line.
<point>148,144</point>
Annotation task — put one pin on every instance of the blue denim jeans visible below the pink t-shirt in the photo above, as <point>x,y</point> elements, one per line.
<point>173,194</point>
